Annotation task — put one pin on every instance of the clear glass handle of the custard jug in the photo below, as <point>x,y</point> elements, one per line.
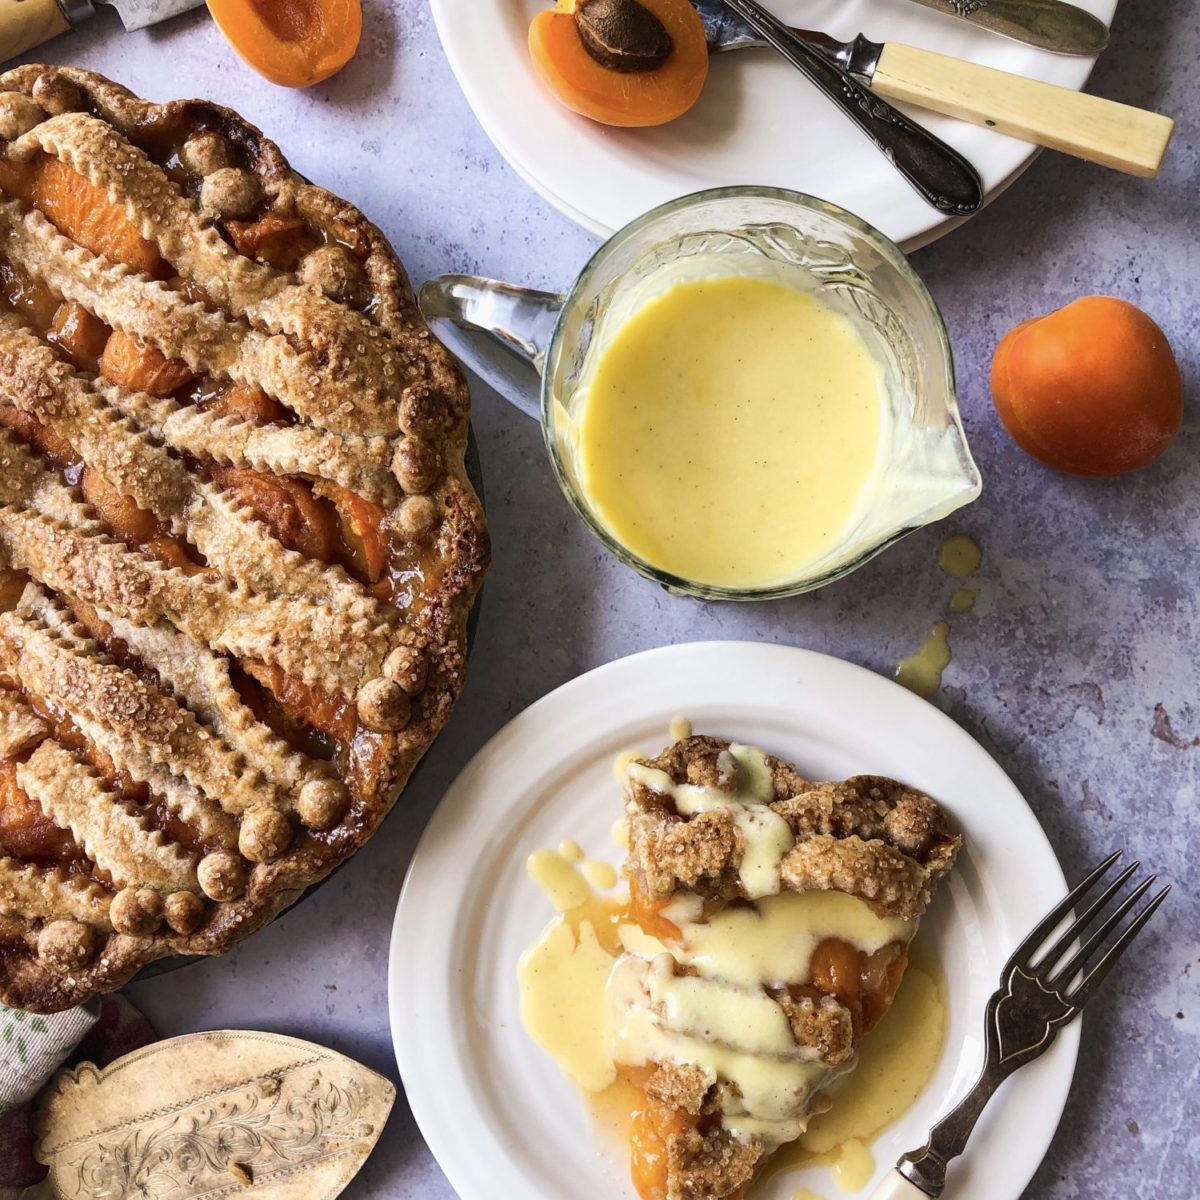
<point>500,331</point>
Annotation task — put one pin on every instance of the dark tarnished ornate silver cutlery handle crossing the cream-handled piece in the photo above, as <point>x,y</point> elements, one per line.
<point>939,173</point>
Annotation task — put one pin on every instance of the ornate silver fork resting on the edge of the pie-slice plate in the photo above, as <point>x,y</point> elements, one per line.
<point>1039,995</point>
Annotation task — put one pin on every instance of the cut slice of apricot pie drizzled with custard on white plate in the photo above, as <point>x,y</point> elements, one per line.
<point>773,919</point>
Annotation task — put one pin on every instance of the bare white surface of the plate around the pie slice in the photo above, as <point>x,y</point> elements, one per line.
<point>494,1108</point>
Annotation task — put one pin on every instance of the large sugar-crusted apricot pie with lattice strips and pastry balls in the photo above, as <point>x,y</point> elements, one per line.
<point>238,547</point>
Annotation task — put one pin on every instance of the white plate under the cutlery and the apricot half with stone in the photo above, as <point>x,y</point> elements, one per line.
<point>759,122</point>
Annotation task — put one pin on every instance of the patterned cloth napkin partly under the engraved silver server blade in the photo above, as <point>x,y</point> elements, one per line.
<point>32,1049</point>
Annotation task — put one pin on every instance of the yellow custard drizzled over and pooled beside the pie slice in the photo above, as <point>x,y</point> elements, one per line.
<point>598,993</point>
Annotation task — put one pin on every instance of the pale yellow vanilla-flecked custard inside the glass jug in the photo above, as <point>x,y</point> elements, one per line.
<point>731,431</point>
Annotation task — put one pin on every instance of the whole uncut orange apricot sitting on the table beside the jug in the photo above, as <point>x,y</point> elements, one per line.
<point>1093,389</point>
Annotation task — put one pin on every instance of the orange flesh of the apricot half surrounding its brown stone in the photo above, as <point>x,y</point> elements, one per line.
<point>622,98</point>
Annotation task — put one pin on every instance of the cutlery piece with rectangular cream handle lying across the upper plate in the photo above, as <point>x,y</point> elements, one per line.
<point>1090,128</point>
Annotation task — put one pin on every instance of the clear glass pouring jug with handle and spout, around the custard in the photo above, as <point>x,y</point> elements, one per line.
<point>512,335</point>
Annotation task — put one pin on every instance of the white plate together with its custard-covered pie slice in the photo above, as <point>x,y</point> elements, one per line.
<point>694,1030</point>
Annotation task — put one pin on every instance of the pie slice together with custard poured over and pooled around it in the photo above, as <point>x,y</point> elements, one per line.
<point>727,1009</point>
